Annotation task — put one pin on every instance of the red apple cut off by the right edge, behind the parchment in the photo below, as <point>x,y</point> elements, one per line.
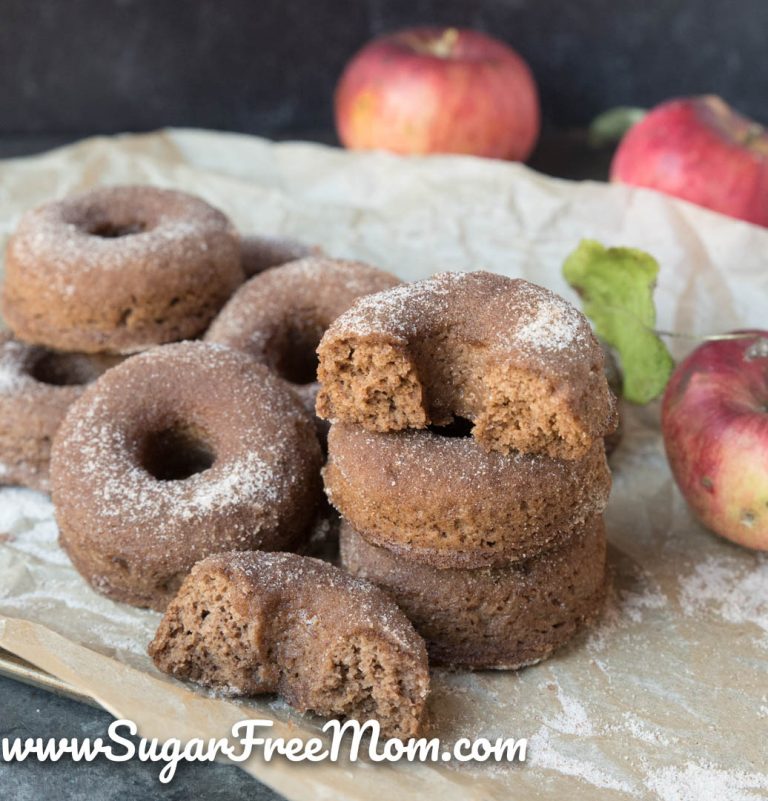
<point>701,150</point>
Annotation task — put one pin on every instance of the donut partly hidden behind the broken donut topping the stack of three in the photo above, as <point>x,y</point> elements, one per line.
<point>280,315</point>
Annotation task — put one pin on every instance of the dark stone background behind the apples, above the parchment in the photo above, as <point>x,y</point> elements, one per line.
<point>270,66</point>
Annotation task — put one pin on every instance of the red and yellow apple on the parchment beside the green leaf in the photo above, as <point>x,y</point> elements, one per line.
<point>715,423</point>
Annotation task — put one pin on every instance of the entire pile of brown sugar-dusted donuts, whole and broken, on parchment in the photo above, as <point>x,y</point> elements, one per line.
<point>173,403</point>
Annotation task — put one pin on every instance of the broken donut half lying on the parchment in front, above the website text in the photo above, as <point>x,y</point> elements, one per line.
<point>255,623</point>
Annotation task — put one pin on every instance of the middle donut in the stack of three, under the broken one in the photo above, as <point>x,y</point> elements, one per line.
<point>446,501</point>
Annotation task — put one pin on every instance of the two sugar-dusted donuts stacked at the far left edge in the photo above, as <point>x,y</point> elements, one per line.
<point>89,280</point>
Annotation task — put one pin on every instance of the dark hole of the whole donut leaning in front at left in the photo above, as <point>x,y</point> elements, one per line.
<point>176,453</point>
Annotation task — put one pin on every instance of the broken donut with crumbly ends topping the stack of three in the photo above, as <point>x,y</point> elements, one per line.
<point>517,360</point>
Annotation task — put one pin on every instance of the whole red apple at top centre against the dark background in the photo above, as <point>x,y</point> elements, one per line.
<point>438,90</point>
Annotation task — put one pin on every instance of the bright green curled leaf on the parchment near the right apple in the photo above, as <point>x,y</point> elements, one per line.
<point>616,288</point>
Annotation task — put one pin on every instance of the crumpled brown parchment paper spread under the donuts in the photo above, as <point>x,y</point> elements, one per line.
<point>668,696</point>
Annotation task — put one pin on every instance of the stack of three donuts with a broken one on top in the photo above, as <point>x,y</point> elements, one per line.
<point>466,457</point>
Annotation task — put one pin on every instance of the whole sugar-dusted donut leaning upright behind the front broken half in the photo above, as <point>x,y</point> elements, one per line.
<point>180,452</point>
